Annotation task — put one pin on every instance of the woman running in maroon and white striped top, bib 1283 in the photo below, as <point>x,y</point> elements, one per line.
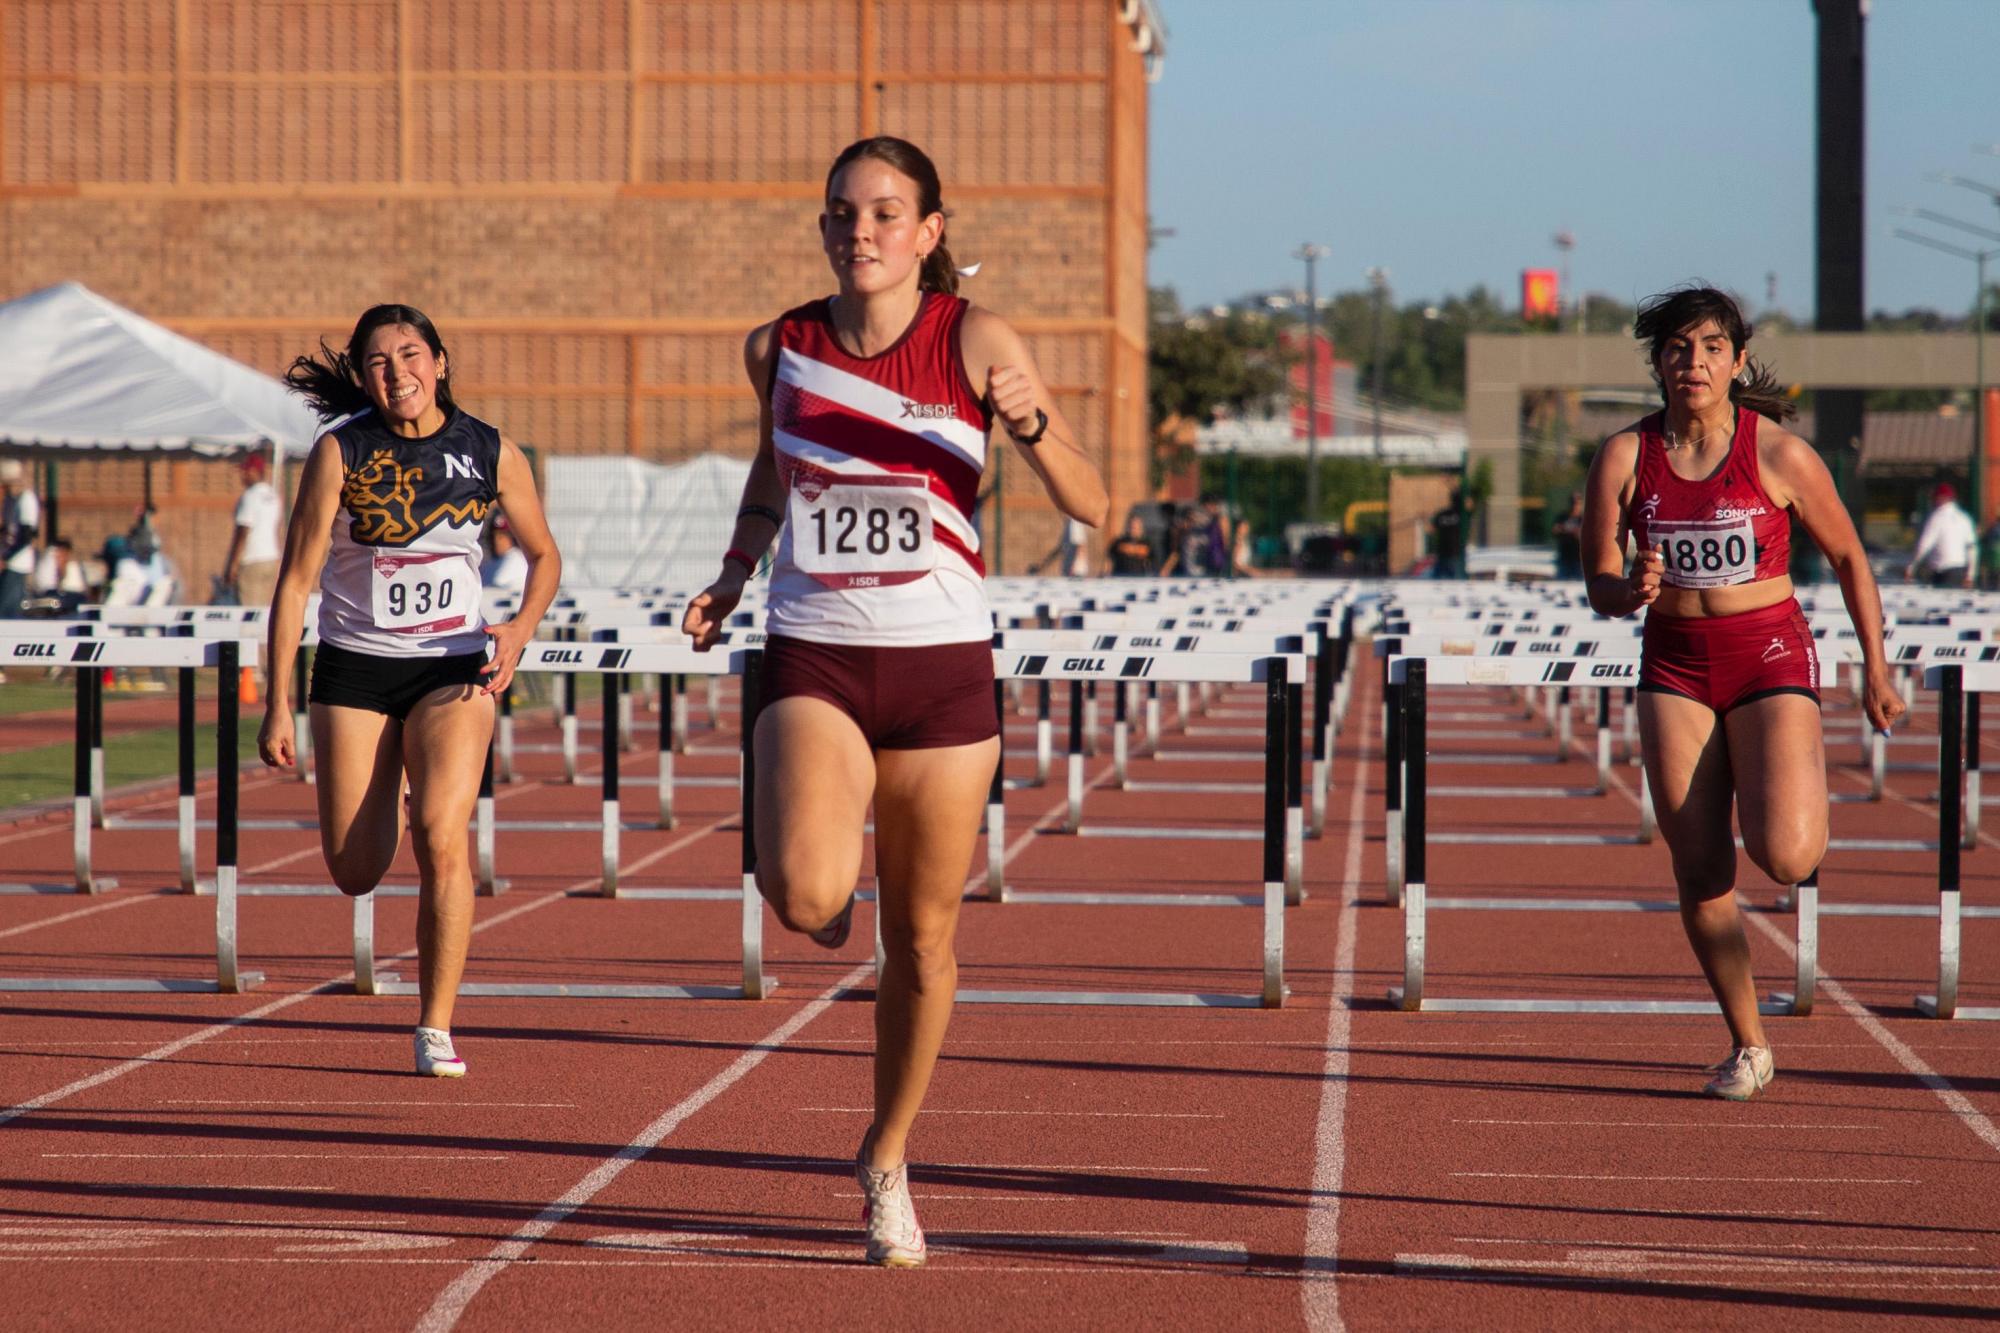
<point>877,407</point>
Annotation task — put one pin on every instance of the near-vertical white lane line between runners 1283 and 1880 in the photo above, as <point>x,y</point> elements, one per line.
<point>1321,1290</point>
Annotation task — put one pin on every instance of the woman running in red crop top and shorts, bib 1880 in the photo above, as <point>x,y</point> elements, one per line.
<point>1729,680</point>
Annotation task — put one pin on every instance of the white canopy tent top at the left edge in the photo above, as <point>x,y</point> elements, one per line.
<point>85,375</point>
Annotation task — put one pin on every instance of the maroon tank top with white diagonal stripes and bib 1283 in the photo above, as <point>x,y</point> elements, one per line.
<point>881,459</point>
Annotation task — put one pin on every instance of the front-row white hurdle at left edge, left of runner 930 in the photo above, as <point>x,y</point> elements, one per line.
<point>89,657</point>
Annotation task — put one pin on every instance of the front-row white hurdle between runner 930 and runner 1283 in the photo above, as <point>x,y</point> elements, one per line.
<point>615,661</point>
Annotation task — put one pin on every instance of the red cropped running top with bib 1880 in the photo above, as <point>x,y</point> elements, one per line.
<point>1713,533</point>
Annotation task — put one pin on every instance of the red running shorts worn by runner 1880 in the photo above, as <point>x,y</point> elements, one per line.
<point>1727,661</point>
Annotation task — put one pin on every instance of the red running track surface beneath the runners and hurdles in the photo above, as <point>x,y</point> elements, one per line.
<point>189,1160</point>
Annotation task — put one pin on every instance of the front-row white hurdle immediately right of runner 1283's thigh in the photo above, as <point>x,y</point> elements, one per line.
<point>1281,804</point>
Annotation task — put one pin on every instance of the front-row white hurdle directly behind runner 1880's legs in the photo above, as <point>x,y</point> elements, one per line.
<point>1415,676</point>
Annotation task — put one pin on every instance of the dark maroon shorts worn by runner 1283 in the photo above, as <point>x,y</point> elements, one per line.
<point>903,700</point>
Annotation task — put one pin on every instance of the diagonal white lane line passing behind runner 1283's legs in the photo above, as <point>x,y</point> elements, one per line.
<point>453,1302</point>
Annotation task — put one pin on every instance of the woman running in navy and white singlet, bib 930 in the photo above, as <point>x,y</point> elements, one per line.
<point>387,527</point>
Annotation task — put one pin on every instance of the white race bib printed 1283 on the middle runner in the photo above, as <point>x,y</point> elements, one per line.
<point>863,535</point>
